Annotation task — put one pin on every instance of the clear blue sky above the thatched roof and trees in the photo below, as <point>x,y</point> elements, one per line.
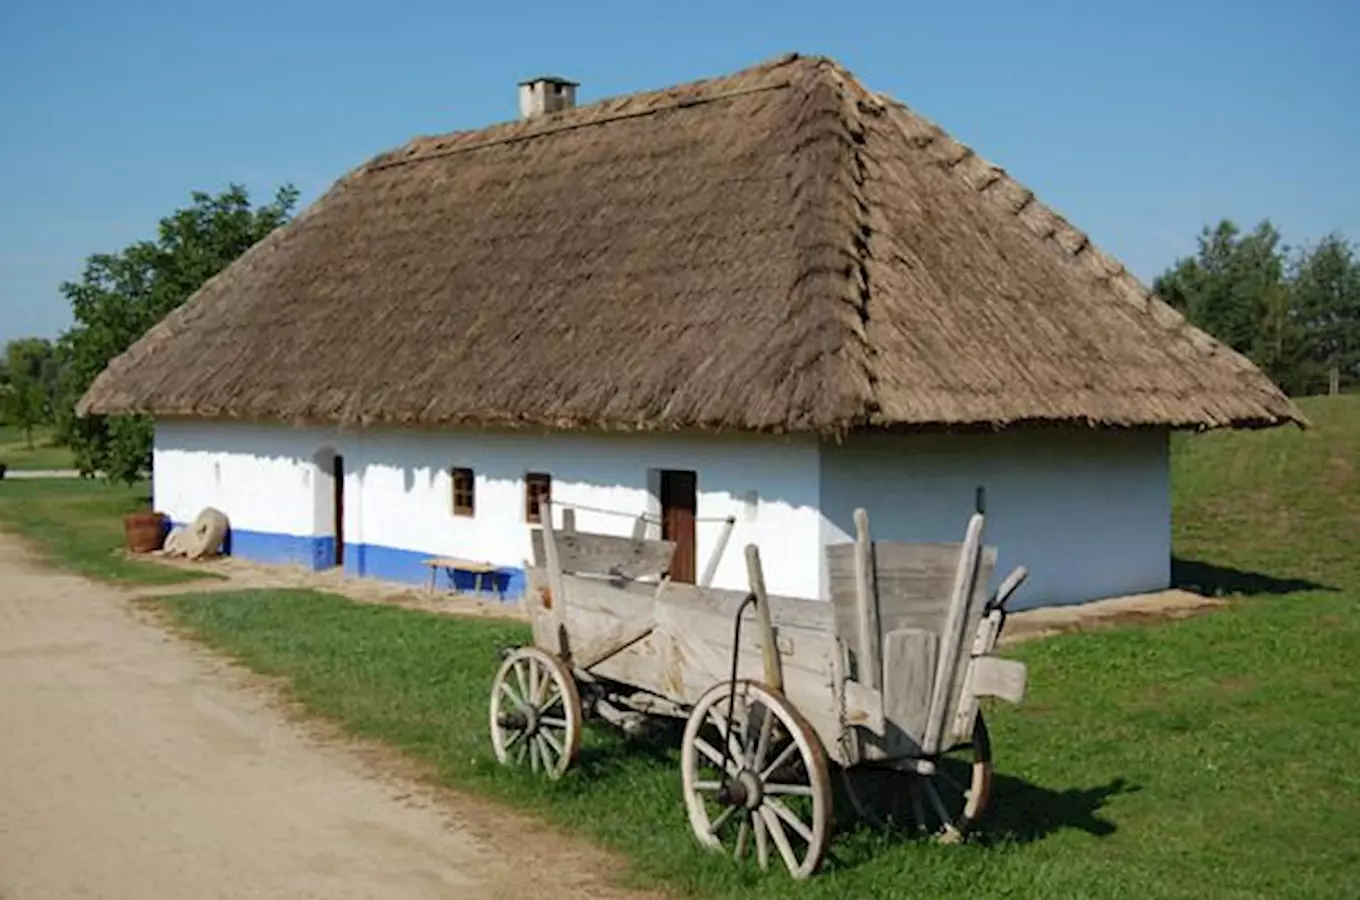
<point>1140,122</point>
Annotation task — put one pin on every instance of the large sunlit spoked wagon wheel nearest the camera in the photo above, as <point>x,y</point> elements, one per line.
<point>772,782</point>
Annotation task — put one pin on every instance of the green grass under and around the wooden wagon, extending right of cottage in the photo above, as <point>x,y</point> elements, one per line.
<point>1207,758</point>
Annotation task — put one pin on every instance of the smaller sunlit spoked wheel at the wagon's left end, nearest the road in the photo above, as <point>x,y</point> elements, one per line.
<point>535,713</point>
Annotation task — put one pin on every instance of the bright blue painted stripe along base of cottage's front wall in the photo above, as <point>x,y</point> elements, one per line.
<point>367,561</point>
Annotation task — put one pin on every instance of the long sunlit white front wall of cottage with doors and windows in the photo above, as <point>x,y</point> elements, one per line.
<point>399,491</point>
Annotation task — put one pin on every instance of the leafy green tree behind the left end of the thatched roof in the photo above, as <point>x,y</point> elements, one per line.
<point>122,296</point>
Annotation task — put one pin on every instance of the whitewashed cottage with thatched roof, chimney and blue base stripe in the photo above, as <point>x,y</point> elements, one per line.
<point>775,296</point>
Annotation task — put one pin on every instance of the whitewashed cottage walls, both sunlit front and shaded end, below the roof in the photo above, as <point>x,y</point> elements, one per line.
<point>1087,513</point>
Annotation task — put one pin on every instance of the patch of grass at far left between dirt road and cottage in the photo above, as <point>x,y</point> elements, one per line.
<point>78,525</point>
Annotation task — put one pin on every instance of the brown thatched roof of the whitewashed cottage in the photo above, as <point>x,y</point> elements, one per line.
<point>775,251</point>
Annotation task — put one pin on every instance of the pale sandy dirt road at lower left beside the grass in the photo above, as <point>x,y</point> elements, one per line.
<point>135,765</point>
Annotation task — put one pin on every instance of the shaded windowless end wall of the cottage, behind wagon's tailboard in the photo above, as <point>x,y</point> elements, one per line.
<point>1087,513</point>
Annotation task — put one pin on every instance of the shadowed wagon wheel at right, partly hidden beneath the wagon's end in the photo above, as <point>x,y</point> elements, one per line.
<point>947,803</point>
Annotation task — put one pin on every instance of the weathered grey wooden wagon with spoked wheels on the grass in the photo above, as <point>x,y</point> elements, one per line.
<point>883,679</point>
